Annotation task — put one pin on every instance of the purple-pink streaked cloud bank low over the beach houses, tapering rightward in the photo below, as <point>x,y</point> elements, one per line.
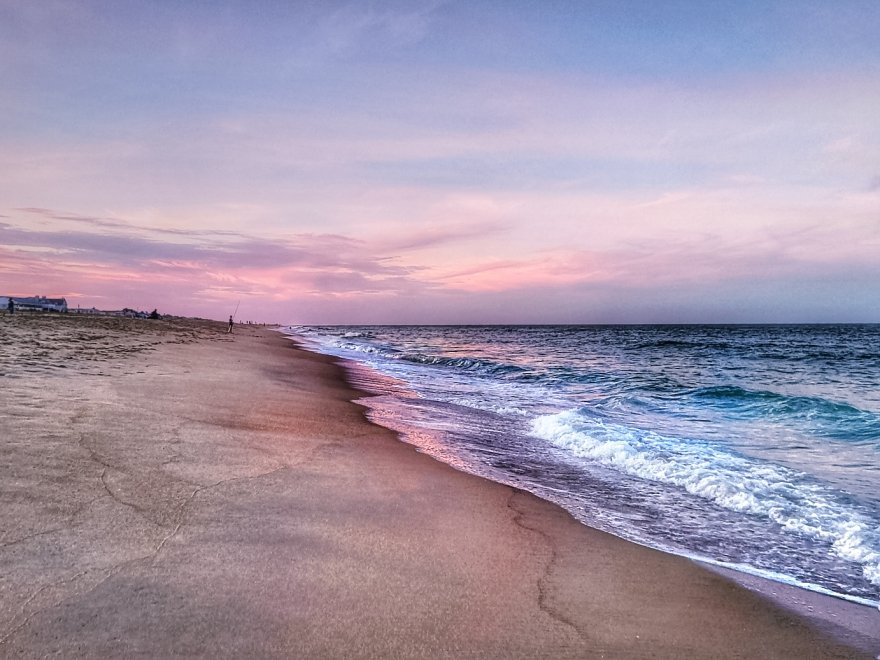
<point>201,264</point>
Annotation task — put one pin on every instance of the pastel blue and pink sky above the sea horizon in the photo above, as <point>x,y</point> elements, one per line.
<point>444,162</point>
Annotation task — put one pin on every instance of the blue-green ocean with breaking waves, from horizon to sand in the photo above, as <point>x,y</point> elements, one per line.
<point>752,447</point>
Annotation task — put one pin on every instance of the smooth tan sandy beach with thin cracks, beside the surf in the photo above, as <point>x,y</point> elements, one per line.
<point>171,490</point>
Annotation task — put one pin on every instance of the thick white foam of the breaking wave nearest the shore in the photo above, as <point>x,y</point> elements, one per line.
<point>788,498</point>
